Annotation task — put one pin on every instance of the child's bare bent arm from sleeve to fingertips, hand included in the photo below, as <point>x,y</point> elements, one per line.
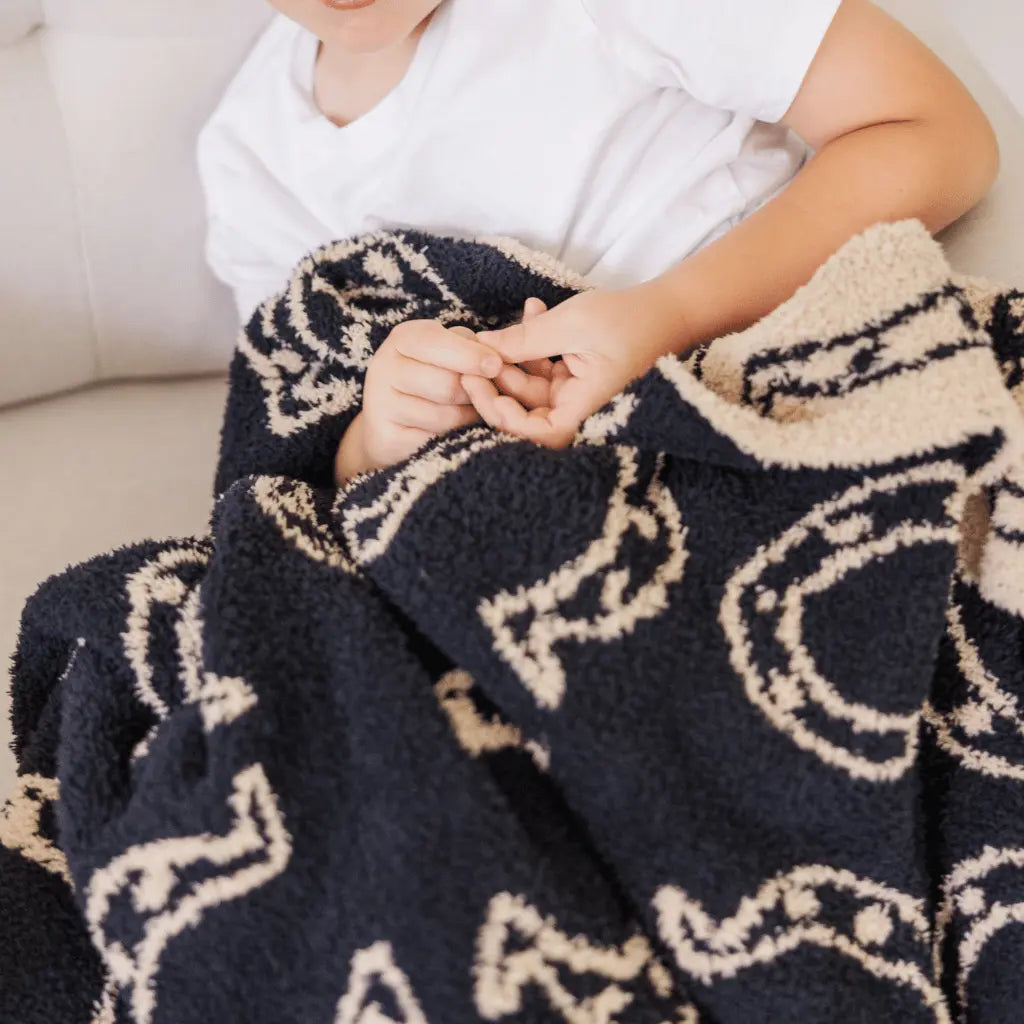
<point>899,137</point>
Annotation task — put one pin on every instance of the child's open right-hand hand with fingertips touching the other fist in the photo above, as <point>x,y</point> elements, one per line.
<point>606,339</point>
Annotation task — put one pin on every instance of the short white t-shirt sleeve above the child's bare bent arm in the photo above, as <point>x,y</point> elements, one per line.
<point>745,56</point>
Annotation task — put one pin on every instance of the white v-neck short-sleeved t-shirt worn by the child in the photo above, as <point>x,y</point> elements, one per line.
<point>618,136</point>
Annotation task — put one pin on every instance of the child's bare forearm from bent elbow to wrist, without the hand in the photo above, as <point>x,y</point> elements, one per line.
<point>886,173</point>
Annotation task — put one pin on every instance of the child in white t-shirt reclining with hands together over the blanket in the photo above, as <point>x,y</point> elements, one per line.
<point>647,144</point>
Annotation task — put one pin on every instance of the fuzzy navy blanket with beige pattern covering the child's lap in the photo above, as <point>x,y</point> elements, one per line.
<point>714,717</point>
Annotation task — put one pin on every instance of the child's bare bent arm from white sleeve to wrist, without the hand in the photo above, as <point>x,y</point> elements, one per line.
<point>898,135</point>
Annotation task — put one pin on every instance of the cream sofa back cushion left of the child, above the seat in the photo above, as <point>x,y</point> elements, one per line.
<point>103,274</point>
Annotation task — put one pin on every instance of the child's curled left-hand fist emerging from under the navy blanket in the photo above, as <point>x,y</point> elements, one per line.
<point>413,392</point>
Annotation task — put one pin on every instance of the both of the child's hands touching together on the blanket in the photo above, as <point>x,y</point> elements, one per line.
<point>428,379</point>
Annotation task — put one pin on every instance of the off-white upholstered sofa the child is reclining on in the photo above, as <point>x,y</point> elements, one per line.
<point>102,276</point>
